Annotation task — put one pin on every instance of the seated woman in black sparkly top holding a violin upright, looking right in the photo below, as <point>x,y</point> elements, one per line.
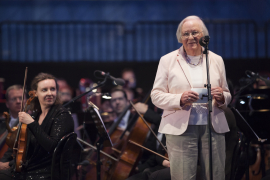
<point>45,127</point>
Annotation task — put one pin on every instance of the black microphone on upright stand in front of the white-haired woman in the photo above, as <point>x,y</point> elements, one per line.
<point>208,85</point>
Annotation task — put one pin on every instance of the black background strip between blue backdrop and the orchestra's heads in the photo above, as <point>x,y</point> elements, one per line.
<point>145,71</point>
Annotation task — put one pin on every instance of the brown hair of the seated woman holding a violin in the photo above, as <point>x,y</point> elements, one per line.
<point>35,104</point>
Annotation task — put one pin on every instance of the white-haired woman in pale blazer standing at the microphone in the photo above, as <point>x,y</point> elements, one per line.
<point>184,121</point>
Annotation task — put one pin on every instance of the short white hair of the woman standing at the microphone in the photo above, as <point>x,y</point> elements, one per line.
<point>179,29</point>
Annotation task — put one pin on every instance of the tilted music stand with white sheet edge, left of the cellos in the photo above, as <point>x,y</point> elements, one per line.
<point>104,138</point>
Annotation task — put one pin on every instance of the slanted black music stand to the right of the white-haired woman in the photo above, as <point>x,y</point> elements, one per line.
<point>250,134</point>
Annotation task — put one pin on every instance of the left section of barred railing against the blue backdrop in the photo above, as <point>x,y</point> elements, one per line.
<point>62,41</point>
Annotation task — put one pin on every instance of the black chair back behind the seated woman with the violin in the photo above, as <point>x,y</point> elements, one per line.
<point>61,161</point>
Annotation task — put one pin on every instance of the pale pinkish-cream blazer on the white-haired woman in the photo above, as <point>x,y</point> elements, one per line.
<point>173,79</point>
